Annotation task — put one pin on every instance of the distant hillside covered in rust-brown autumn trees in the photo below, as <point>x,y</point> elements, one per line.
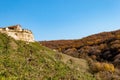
<point>103,47</point>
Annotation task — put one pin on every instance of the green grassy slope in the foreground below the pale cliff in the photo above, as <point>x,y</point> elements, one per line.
<point>21,60</point>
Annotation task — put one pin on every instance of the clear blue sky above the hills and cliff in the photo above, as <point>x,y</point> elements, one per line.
<point>61,19</point>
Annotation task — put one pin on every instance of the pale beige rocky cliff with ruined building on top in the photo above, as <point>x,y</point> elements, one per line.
<point>18,33</point>
